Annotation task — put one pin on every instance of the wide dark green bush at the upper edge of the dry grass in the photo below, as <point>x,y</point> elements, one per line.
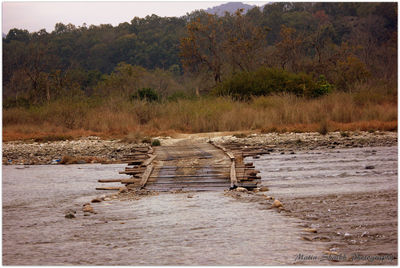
<point>266,81</point>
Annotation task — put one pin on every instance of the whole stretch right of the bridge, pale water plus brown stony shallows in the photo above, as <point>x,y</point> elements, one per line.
<point>348,195</point>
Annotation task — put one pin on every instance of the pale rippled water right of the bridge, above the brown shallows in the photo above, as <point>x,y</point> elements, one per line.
<point>329,171</point>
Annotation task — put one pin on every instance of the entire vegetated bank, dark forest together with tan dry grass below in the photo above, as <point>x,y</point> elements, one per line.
<point>286,67</point>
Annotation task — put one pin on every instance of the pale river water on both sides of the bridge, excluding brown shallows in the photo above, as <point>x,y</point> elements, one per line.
<point>172,229</point>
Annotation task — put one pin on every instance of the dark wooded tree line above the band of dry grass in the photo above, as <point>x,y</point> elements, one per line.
<point>303,48</point>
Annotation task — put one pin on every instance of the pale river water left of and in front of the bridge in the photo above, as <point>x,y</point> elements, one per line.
<point>208,228</point>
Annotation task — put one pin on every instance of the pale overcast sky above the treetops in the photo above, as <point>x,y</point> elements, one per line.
<point>34,16</point>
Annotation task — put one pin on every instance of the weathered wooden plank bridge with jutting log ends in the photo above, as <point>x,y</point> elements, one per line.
<point>188,166</point>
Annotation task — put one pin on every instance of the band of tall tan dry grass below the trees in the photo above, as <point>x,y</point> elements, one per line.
<point>364,110</point>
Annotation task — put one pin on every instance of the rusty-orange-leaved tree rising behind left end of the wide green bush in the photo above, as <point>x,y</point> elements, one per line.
<point>222,45</point>
